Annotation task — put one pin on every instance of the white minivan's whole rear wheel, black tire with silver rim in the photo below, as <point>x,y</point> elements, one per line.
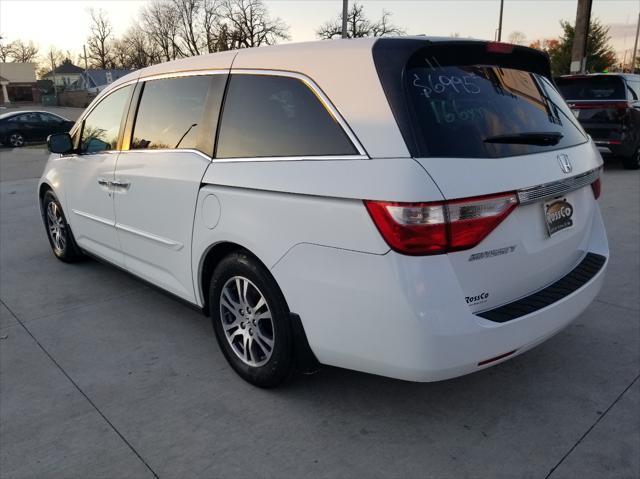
<point>251,321</point>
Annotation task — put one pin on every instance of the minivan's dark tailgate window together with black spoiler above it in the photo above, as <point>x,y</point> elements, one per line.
<point>473,99</point>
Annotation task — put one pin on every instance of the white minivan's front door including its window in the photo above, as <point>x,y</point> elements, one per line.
<point>90,173</point>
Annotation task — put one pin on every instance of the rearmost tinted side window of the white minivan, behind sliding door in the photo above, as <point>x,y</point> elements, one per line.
<point>271,116</point>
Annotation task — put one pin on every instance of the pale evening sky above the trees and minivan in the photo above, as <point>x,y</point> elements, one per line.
<point>65,23</point>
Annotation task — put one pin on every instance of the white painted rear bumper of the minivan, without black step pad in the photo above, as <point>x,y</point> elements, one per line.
<point>406,317</point>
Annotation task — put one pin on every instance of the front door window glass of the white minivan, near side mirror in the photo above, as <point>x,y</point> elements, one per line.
<point>102,126</point>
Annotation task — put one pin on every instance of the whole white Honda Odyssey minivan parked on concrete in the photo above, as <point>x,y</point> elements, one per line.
<point>419,208</point>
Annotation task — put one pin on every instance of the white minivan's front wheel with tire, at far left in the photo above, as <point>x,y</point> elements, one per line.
<point>59,234</point>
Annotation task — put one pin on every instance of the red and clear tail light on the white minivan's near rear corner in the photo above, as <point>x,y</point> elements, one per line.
<point>440,227</point>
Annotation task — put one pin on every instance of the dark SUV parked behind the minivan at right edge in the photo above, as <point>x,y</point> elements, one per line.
<point>607,106</point>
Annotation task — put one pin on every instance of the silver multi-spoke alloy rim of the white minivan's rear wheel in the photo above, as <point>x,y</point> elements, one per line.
<point>246,321</point>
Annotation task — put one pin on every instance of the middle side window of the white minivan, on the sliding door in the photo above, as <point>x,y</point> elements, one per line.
<point>170,113</point>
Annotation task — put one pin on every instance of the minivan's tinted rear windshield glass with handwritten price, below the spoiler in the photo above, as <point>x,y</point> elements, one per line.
<point>485,111</point>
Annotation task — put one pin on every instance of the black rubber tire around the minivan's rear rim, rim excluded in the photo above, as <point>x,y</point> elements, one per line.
<point>280,364</point>
